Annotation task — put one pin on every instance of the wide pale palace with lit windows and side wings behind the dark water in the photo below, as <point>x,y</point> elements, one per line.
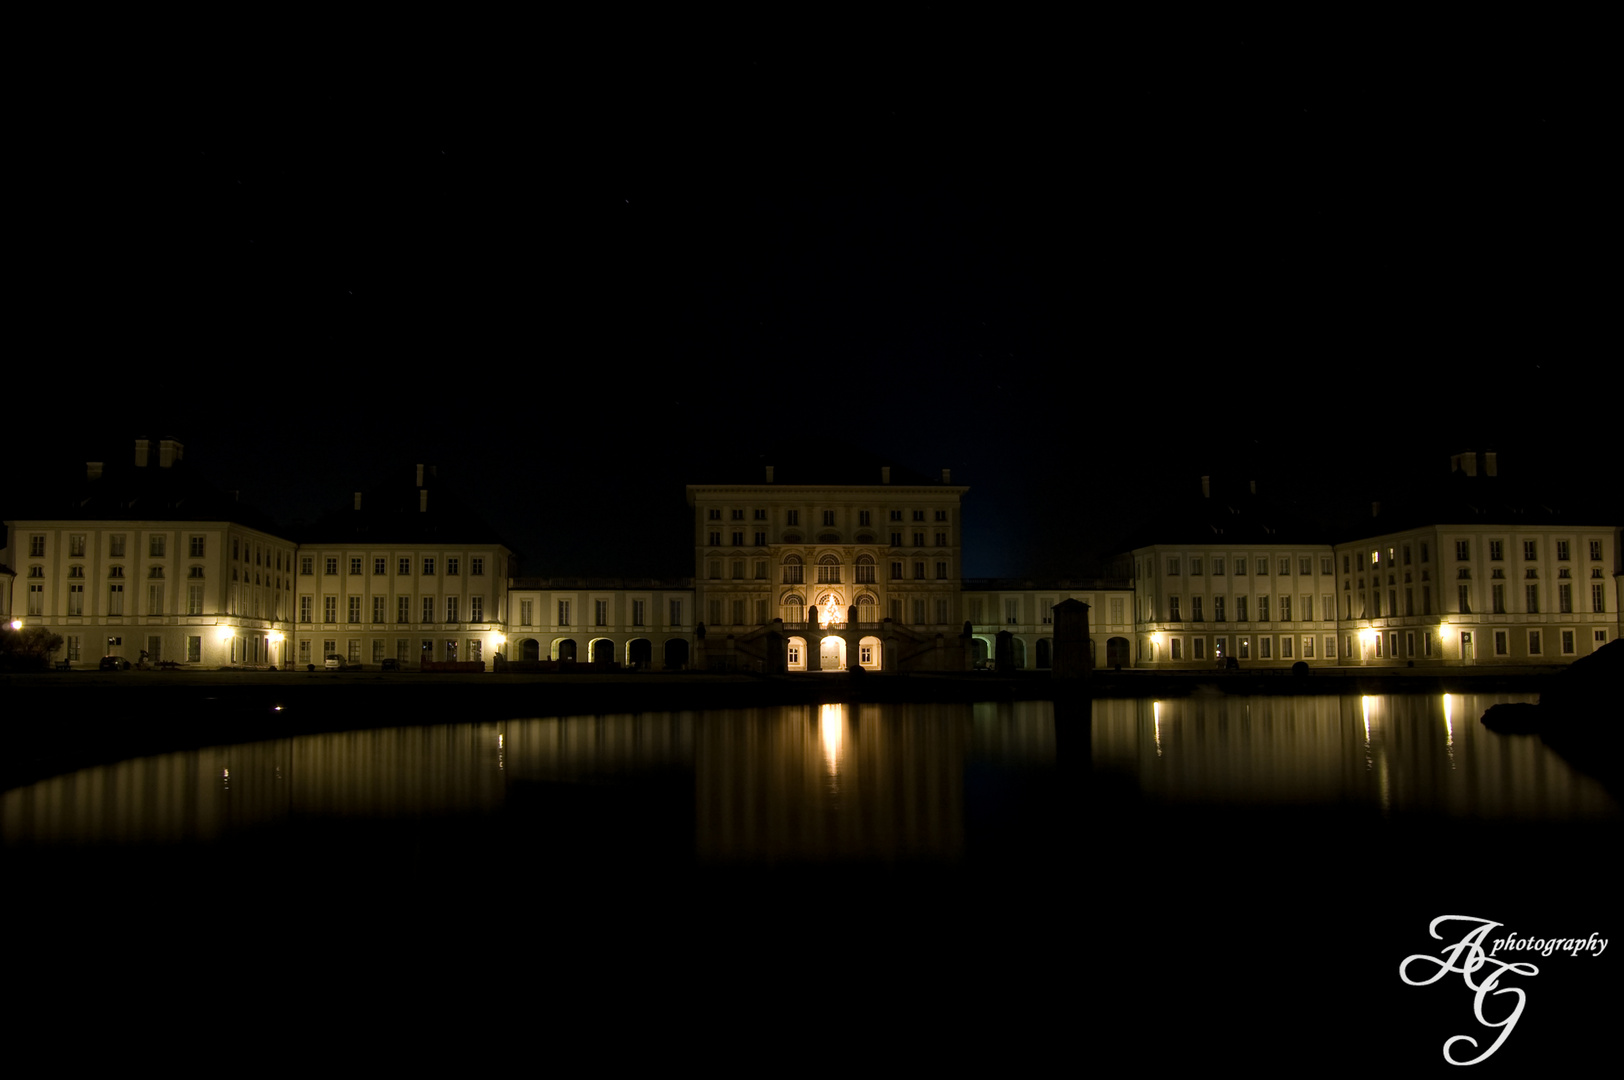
<point>798,577</point>
